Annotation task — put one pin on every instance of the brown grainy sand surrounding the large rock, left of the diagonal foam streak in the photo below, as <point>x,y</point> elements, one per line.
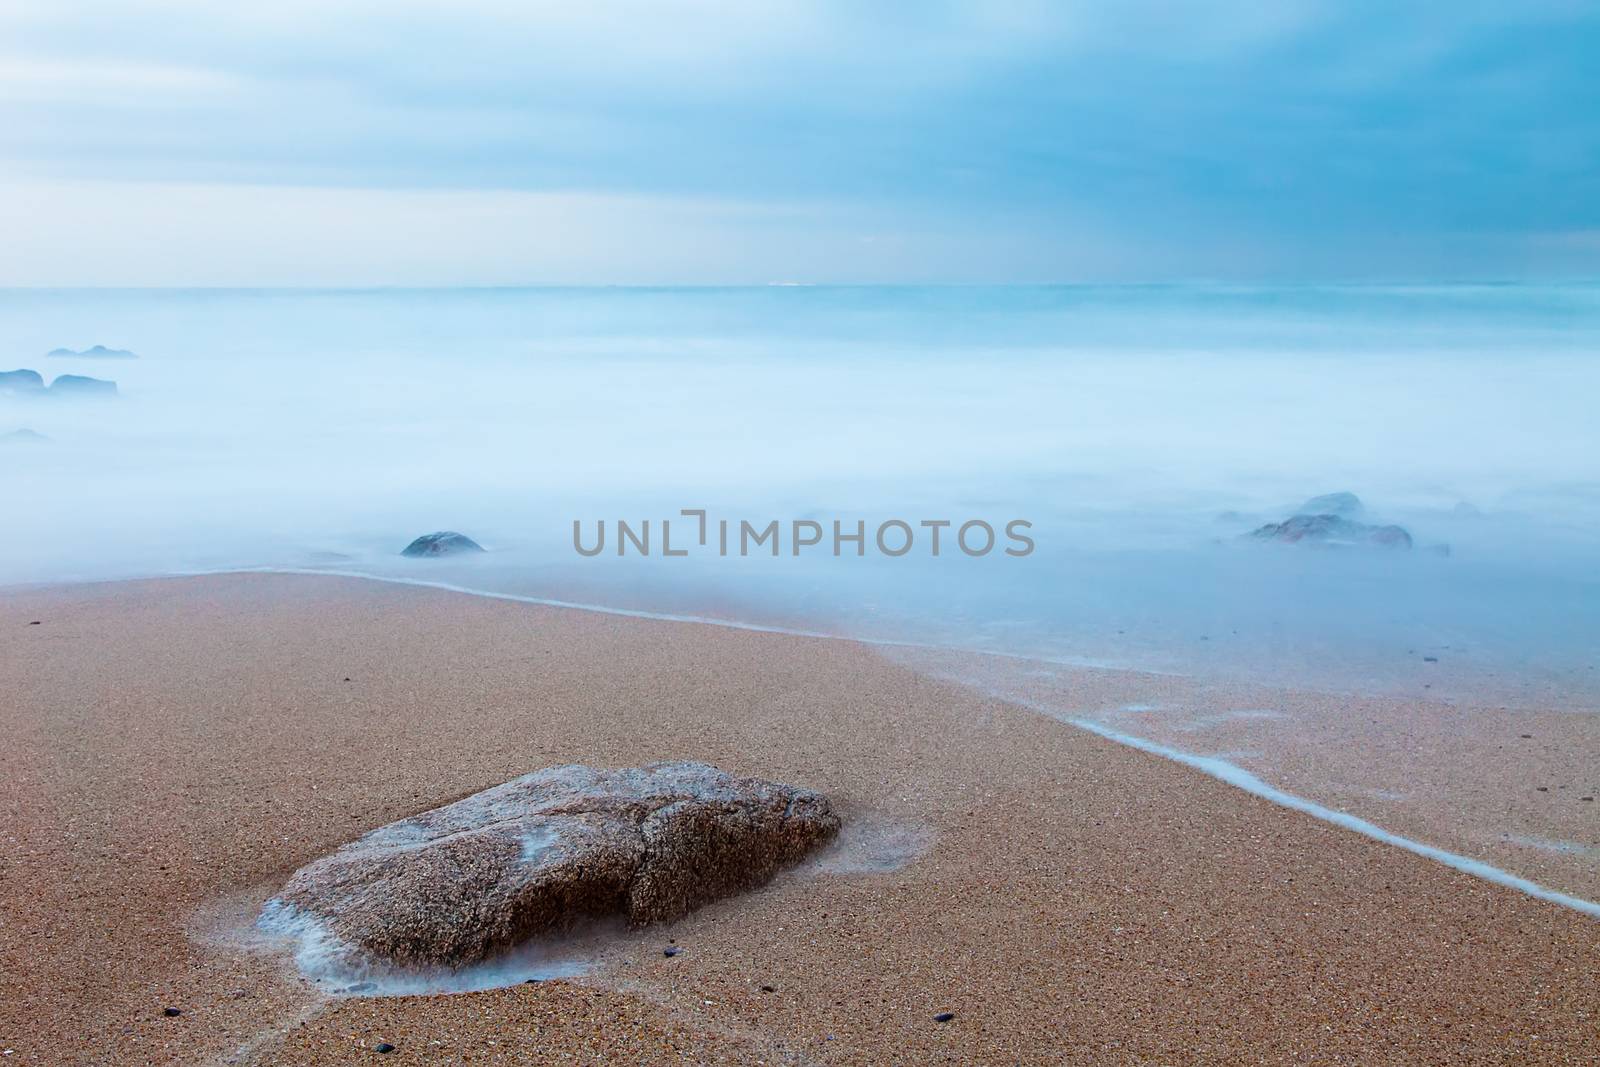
<point>175,749</point>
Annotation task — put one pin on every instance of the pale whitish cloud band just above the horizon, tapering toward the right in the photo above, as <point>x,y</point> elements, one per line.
<point>166,234</point>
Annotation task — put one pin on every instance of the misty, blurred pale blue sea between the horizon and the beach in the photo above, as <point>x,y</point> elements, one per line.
<point>1140,430</point>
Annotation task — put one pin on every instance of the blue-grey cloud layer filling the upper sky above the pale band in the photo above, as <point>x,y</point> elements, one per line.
<point>1201,135</point>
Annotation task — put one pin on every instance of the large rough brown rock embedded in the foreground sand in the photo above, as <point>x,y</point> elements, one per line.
<point>534,857</point>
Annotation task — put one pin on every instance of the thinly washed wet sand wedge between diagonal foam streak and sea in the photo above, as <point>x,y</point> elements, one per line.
<point>1516,788</point>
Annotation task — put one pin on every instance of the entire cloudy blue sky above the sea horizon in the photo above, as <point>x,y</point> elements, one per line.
<point>399,143</point>
